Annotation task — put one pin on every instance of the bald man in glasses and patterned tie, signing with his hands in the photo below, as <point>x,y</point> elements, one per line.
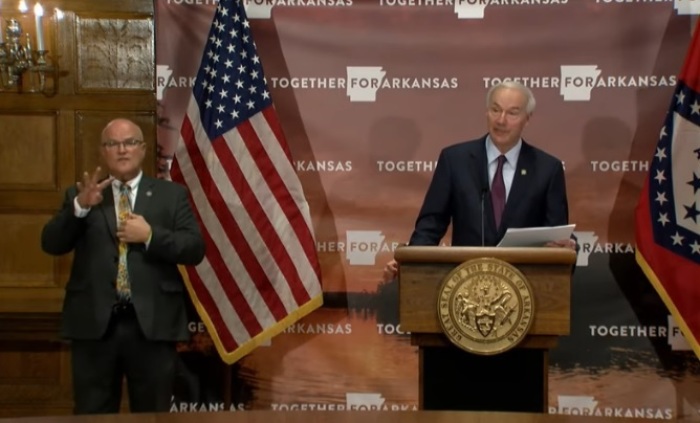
<point>124,305</point>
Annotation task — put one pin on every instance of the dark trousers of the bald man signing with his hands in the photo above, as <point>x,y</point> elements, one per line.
<point>100,366</point>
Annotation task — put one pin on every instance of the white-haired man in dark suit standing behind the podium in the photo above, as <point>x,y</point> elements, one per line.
<point>461,191</point>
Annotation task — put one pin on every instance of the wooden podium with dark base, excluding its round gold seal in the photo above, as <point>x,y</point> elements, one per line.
<point>451,378</point>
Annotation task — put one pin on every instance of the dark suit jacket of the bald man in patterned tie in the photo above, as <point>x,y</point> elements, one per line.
<point>157,289</point>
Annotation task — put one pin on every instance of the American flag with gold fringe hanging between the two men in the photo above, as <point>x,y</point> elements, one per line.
<point>261,272</point>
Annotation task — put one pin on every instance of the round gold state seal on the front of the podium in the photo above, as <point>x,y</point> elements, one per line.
<point>485,306</point>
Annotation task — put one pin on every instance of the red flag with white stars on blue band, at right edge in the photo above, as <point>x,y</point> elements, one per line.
<point>667,218</point>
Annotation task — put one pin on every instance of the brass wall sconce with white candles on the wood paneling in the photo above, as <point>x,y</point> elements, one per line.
<point>18,60</point>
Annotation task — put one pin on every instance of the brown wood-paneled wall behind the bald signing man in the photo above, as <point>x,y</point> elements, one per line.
<point>105,56</point>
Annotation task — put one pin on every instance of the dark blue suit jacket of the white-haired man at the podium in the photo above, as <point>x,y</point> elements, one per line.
<point>460,188</point>
